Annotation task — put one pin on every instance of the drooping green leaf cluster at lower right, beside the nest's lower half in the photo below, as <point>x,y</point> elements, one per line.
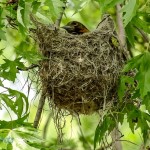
<point>134,88</point>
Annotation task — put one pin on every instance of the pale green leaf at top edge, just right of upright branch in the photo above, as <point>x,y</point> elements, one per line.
<point>130,11</point>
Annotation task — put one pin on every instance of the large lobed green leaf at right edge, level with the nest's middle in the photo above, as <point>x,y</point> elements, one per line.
<point>142,64</point>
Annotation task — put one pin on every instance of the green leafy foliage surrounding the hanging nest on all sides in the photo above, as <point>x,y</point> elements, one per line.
<point>17,47</point>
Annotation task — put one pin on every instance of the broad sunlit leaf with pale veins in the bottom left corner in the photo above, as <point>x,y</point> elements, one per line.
<point>21,137</point>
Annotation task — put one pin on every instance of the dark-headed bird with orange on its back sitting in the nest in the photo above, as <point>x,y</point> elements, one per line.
<point>75,27</point>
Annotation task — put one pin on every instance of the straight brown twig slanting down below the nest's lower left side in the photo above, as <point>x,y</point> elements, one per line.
<point>40,108</point>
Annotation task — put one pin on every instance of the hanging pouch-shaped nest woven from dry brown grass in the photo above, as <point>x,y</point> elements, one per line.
<point>80,72</point>
